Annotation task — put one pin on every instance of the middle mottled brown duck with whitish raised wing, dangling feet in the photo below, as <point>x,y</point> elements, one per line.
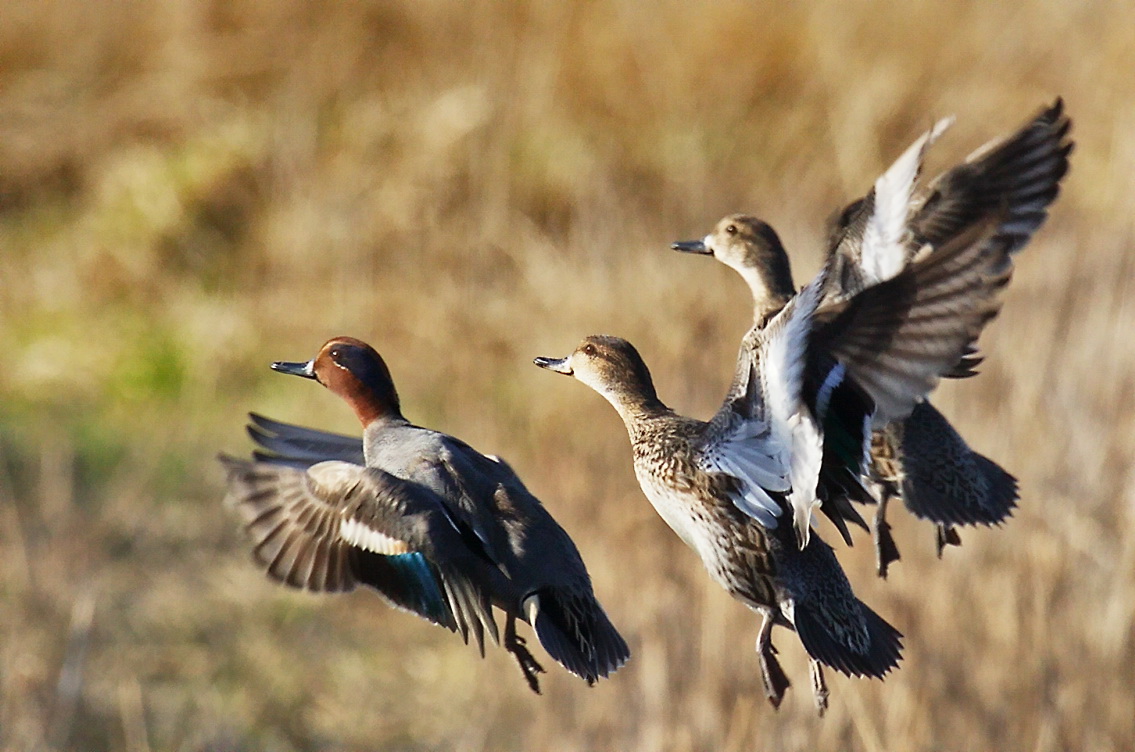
<point>725,487</point>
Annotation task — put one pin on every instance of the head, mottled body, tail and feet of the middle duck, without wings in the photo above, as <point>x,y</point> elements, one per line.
<point>761,567</point>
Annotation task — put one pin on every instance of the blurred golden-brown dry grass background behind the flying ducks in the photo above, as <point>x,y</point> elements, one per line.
<point>191,190</point>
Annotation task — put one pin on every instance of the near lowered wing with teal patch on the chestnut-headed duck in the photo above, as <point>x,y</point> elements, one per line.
<point>337,526</point>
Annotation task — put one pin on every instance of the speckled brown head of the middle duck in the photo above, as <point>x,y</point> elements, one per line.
<point>615,369</point>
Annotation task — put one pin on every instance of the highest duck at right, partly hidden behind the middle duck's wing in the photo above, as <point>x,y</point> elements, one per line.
<point>919,459</point>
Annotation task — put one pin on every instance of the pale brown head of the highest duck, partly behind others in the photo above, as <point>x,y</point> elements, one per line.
<point>752,249</point>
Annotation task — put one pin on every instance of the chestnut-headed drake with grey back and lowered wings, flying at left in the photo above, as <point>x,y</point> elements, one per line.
<point>431,523</point>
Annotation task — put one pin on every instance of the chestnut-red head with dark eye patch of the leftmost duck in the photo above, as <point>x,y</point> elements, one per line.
<point>355,371</point>
